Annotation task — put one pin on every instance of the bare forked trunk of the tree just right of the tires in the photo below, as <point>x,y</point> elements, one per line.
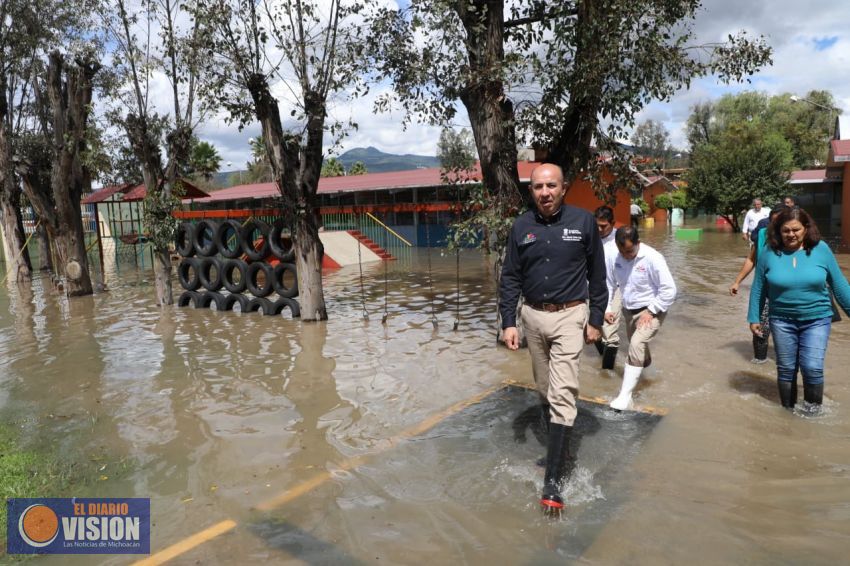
<point>297,187</point>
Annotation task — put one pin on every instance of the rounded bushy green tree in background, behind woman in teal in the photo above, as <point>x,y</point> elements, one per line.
<point>743,161</point>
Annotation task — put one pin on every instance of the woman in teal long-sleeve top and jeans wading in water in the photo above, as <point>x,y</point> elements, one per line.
<point>793,274</point>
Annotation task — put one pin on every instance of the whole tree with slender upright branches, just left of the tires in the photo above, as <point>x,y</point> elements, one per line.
<point>138,57</point>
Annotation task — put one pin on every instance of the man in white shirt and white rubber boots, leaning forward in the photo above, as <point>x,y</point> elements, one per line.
<point>648,290</point>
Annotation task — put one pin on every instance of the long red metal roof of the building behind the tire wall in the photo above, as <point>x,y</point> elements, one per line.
<point>426,177</point>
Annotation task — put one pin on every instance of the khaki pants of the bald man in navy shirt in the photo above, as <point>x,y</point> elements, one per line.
<point>555,341</point>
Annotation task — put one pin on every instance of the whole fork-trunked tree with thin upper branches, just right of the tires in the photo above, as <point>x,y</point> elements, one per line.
<point>307,50</point>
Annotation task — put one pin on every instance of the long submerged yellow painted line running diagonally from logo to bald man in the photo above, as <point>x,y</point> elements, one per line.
<point>208,534</point>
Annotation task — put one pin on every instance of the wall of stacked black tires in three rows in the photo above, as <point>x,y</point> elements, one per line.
<point>254,257</point>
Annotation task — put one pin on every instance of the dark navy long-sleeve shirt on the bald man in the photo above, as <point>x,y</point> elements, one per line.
<point>554,261</point>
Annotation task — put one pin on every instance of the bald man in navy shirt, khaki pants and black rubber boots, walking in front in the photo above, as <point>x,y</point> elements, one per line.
<point>555,260</point>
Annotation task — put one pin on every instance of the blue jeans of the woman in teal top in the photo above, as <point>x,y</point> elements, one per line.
<point>800,344</point>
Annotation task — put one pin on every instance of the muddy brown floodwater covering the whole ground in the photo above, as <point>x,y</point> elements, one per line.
<point>348,442</point>
